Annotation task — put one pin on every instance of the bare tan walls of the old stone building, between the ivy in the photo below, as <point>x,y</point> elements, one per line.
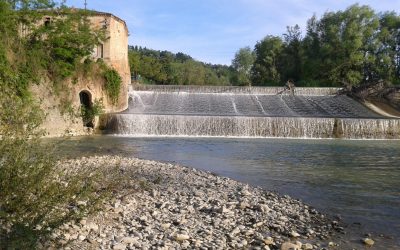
<point>85,90</point>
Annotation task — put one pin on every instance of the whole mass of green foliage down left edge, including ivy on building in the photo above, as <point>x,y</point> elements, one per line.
<point>36,195</point>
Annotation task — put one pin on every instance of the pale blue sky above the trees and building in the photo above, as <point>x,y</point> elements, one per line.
<point>213,30</point>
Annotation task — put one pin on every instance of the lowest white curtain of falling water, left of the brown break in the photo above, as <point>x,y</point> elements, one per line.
<point>236,126</point>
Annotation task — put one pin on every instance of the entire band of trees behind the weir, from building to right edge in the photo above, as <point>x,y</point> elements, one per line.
<point>343,48</point>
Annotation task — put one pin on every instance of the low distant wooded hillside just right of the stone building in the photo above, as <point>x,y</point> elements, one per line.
<point>163,67</point>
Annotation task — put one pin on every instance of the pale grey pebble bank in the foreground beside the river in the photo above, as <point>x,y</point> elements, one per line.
<point>167,206</point>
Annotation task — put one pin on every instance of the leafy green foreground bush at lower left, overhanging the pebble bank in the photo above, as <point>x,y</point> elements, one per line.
<point>36,195</point>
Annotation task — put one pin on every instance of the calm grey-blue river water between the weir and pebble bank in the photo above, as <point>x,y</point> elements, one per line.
<point>357,180</point>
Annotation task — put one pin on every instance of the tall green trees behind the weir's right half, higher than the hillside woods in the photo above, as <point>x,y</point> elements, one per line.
<point>343,48</point>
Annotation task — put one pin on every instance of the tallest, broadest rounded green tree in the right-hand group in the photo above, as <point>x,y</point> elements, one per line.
<point>345,44</point>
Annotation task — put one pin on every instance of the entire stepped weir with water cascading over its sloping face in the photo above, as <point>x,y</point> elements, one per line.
<point>247,112</point>
